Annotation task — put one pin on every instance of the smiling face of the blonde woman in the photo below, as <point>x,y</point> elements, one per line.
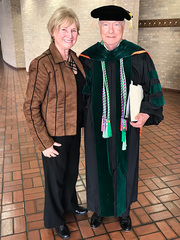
<point>66,36</point>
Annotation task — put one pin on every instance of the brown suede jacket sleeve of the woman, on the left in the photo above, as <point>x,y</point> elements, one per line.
<point>35,94</point>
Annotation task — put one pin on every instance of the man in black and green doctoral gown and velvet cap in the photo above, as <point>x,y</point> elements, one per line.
<point>111,142</point>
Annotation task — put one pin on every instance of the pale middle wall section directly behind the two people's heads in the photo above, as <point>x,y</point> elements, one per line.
<point>36,37</point>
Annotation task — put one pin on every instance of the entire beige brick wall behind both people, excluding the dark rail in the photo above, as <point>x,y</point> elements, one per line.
<point>24,34</point>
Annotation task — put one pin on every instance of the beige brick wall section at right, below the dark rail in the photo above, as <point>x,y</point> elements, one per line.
<point>163,44</point>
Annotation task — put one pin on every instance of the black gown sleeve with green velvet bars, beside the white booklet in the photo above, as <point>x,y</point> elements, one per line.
<point>144,73</point>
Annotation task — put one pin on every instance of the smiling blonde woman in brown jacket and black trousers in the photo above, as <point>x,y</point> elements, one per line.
<point>54,112</point>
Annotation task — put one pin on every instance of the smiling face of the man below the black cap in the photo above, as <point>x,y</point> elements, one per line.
<point>111,33</point>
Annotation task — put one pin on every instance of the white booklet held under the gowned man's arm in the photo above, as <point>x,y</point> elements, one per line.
<point>134,101</point>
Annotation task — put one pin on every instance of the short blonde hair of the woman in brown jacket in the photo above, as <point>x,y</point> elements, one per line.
<point>61,15</point>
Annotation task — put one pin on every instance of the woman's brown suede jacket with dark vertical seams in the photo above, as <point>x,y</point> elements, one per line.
<point>50,107</point>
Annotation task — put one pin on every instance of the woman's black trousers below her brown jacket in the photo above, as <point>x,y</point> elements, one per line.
<point>61,174</point>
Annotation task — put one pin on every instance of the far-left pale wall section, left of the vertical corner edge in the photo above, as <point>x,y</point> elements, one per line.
<point>11,33</point>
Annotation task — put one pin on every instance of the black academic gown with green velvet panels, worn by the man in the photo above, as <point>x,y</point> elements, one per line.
<point>112,173</point>
